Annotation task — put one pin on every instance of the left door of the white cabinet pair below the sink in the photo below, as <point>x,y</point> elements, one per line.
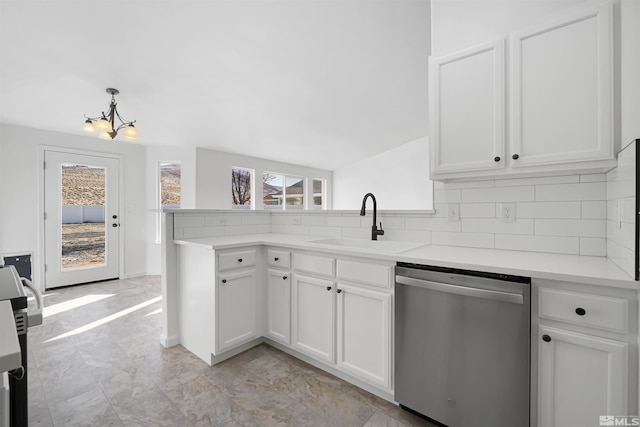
<point>313,317</point>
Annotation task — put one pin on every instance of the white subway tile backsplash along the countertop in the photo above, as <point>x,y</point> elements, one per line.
<point>565,214</point>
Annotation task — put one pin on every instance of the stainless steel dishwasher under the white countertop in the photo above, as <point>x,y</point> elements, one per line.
<point>462,346</point>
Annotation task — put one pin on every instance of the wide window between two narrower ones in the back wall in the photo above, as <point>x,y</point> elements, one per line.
<point>282,192</point>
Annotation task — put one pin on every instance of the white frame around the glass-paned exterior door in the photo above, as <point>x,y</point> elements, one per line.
<point>38,261</point>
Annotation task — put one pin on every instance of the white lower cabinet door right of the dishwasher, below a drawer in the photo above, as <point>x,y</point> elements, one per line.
<point>580,378</point>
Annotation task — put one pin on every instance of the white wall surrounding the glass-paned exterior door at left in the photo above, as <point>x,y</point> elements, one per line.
<point>20,171</point>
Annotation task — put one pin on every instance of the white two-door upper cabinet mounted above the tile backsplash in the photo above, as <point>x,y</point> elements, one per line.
<point>560,110</point>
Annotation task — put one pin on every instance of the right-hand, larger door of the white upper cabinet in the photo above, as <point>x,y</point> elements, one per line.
<point>561,90</point>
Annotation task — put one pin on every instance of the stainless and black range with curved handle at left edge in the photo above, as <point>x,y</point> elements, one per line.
<point>12,289</point>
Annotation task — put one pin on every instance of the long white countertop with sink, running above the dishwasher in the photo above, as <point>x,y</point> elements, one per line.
<point>572,268</point>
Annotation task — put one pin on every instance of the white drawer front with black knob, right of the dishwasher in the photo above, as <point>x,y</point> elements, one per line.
<point>596,311</point>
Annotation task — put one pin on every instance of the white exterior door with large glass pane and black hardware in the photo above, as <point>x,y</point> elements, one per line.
<point>82,218</point>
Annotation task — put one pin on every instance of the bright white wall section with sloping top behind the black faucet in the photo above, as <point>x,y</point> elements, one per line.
<point>399,178</point>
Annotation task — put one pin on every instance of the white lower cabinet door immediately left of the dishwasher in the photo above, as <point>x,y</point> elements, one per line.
<point>364,334</point>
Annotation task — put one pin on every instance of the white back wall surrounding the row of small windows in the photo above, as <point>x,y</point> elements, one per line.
<point>213,176</point>
